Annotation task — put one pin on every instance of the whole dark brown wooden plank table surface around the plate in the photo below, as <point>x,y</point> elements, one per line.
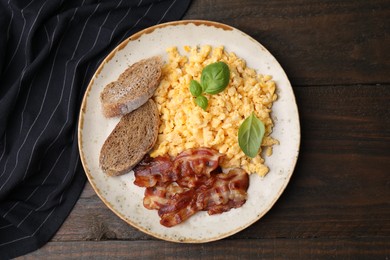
<point>337,57</point>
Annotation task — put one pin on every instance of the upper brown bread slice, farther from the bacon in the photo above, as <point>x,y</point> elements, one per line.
<point>133,87</point>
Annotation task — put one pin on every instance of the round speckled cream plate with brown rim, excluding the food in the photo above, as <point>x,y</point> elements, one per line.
<point>123,197</point>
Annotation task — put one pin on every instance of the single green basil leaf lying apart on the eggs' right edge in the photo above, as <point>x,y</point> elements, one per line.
<point>250,135</point>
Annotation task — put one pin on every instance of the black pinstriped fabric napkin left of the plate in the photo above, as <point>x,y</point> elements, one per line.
<point>49,51</point>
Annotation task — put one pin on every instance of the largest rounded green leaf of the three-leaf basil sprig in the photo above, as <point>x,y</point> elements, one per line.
<point>215,77</point>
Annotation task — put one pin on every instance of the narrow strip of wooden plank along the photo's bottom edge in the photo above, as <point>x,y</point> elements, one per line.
<point>353,248</point>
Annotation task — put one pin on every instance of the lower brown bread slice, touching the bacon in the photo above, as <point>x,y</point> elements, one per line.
<point>132,138</point>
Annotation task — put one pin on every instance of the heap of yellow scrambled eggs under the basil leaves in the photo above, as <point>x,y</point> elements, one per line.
<point>185,125</point>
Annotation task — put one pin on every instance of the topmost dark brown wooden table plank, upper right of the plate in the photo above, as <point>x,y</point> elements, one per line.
<point>317,42</point>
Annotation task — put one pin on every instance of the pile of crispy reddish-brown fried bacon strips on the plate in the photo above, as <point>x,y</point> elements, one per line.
<point>192,182</point>
